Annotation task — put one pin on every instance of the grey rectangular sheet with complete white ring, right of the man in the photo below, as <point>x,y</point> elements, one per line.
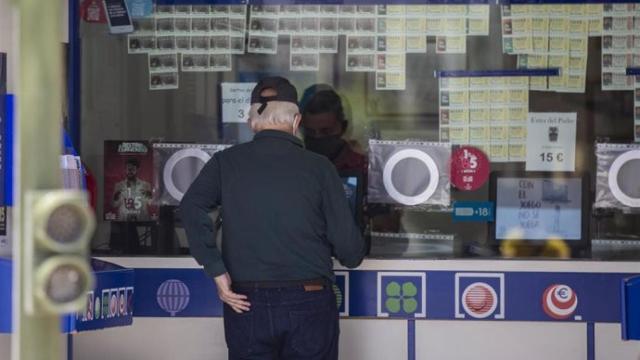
<point>409,173</point>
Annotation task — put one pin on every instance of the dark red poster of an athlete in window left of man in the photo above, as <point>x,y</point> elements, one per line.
<point>128,175</point>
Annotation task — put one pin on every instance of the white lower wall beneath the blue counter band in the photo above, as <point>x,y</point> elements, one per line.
<point>203,338</point>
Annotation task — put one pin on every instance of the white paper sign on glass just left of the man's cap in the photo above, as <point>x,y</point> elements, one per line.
<point>236,102</point>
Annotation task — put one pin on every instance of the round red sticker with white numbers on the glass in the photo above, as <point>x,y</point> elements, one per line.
<point>469,168</point>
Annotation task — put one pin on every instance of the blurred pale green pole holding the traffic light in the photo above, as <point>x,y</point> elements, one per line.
<point>38,143</point>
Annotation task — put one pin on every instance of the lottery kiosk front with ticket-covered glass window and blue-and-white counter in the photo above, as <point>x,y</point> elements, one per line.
<point>433,97</point>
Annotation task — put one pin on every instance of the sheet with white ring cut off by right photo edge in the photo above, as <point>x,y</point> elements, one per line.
<point>618,170</point>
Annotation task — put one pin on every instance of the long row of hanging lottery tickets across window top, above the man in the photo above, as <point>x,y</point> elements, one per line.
<point>378,37</point>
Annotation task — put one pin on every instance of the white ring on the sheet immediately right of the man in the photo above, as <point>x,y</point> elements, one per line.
<point>391,189</point>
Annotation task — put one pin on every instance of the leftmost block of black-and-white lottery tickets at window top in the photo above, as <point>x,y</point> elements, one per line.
<point>203,37</point>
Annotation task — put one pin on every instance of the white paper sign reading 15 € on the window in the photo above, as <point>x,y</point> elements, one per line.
<point>551,141</point>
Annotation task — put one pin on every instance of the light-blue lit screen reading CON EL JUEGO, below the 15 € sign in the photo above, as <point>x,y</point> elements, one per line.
<point>539,208</point>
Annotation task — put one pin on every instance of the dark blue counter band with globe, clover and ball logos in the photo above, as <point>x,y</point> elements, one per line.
<point>436,295</point>
